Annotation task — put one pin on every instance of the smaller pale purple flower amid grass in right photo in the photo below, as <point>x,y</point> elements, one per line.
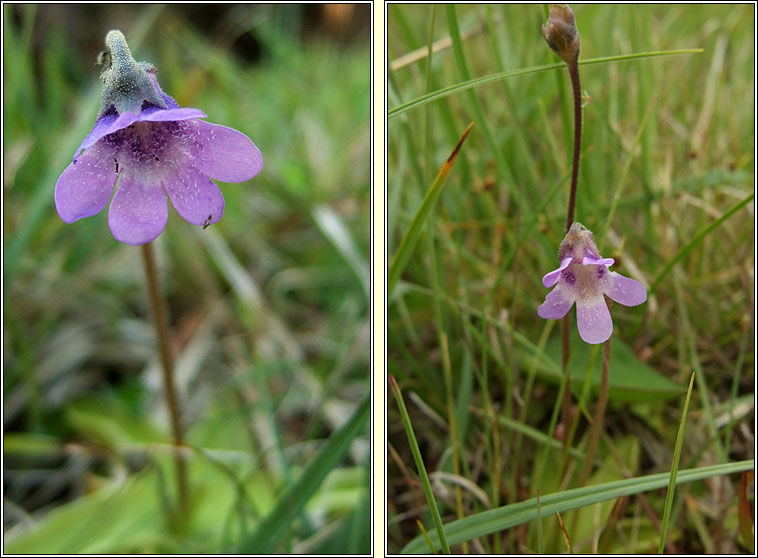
<point>583,277</point>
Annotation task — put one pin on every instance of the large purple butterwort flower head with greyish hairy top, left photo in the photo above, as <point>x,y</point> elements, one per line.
<point>147,148</point>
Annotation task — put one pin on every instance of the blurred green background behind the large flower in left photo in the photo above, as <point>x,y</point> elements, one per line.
<point>269,308</point>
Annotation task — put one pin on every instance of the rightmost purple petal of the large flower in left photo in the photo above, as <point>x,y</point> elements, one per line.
<point>223,153</point>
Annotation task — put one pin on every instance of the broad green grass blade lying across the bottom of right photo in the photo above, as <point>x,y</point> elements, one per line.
<point>504,517</point>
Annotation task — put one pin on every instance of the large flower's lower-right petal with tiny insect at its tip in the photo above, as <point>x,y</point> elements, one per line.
<point>194,196</point>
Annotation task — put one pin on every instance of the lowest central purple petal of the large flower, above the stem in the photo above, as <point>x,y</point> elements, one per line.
<point>138,212</point>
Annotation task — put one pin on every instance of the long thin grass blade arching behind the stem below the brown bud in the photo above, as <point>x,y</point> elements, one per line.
<point>476,82</point>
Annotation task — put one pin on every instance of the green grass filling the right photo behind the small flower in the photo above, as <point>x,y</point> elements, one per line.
<point>666,183</point>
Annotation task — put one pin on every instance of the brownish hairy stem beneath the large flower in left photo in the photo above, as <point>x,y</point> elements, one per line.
<point>158,304</point>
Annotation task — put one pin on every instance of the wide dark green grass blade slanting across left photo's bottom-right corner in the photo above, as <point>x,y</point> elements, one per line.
<point>276,524</point>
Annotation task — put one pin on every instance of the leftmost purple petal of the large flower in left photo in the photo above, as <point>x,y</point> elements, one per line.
<point>85,187</point>
